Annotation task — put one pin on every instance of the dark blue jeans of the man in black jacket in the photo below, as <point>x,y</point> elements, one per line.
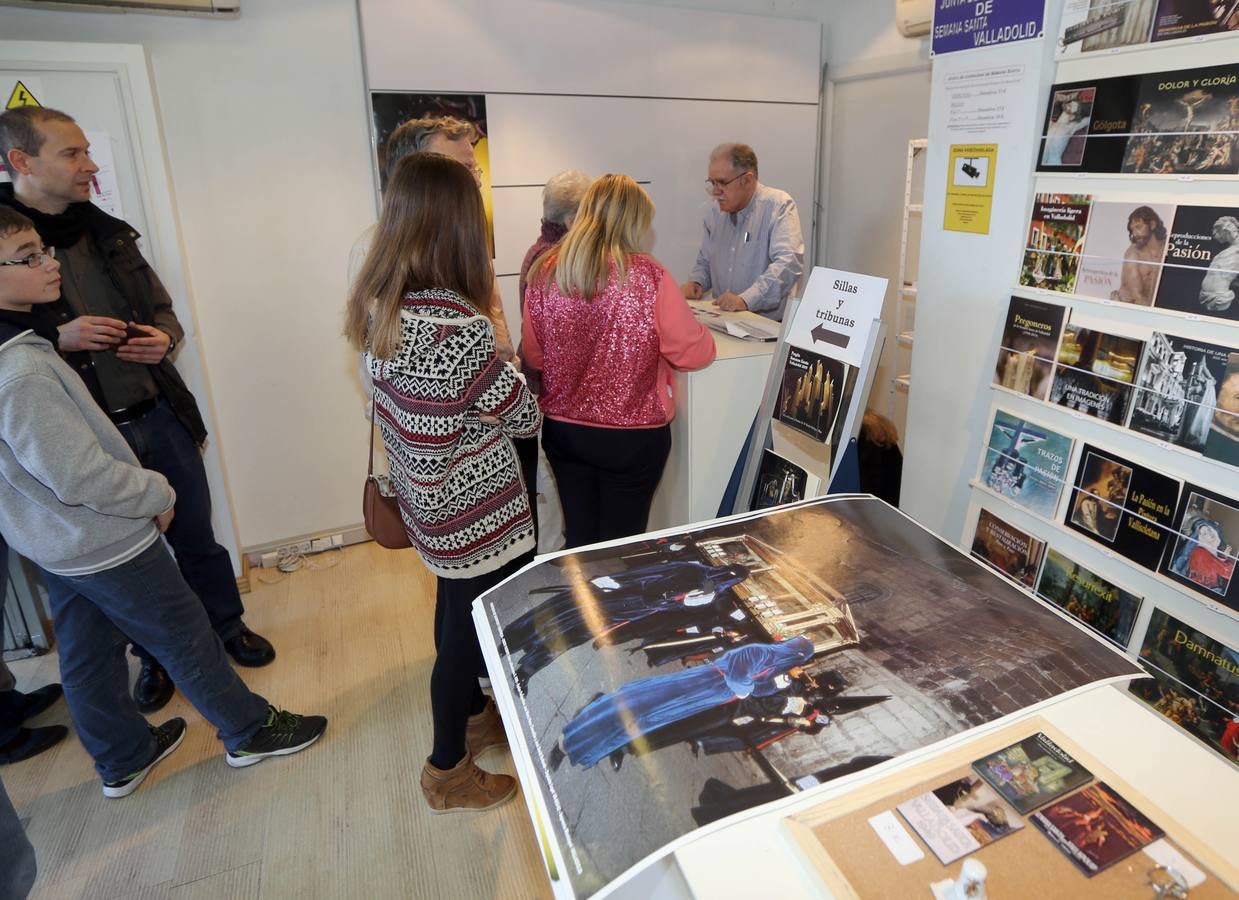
<point>162,443</point>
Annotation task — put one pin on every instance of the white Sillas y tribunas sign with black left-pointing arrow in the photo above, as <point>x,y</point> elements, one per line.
<point>837,314</point>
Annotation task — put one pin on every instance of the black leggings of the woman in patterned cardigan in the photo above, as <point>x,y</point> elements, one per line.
<point>455,694</point>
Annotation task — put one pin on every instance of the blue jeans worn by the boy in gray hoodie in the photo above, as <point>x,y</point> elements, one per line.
<point>147,601</point>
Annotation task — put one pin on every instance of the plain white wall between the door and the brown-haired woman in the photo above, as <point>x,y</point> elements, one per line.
<point>266,137</point>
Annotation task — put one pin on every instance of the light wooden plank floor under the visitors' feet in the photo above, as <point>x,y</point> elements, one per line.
<point>343,820</point>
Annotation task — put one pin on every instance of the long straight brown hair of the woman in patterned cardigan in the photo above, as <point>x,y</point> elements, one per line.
<point>432,235</point>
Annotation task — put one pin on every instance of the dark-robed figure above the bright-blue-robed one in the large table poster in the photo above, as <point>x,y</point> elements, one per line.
<point>599,611</point>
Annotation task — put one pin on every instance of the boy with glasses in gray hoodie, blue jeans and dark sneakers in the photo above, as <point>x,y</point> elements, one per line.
<point>75,501</point>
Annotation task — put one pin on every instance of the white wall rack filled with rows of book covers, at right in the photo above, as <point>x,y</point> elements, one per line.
<point>1108,477</point>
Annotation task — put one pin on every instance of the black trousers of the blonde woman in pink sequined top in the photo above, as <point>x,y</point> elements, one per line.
<point>606,478</point>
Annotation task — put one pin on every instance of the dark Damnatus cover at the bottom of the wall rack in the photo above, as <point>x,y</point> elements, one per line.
<point>1195,682</point>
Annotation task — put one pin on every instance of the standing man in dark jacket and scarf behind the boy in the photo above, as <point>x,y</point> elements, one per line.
<point>118,330</point>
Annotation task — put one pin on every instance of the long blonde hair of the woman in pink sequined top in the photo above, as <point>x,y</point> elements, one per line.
<point>610,226</point>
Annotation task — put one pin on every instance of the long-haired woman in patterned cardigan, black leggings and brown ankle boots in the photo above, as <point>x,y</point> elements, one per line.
<point>448,408</point>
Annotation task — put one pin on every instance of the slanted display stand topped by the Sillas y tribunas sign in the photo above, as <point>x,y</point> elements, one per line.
<point>816,391</point>
